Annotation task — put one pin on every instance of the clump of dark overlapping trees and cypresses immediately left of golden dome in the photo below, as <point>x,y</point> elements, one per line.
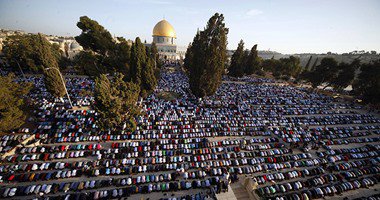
<point>103,54</point>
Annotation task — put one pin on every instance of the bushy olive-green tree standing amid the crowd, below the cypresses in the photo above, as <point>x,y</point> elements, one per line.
<point>115,101</point>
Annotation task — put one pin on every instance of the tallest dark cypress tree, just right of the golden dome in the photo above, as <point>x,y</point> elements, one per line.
<point>209,54</point>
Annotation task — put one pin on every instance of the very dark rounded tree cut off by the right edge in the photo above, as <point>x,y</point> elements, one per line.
<point>367,85</point>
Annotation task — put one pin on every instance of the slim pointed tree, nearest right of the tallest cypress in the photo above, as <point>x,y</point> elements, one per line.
<point>238,61</point>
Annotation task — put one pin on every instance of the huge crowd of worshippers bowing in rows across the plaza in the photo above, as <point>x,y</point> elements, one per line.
<point>282,137</point>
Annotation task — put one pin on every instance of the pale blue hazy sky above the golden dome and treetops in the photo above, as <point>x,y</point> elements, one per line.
<point>286,26</point>
